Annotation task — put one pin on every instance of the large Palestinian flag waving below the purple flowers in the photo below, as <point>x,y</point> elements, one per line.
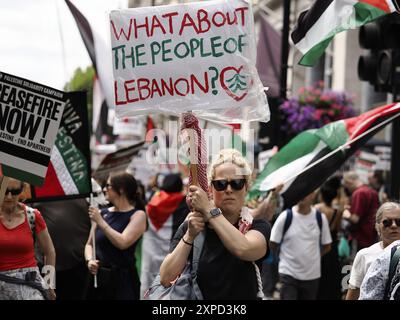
<point>344,137</point>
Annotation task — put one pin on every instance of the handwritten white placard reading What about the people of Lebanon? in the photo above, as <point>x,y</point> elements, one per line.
<point>187,57</point>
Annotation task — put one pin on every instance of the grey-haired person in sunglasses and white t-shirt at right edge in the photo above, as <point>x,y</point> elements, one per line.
<point>388,227</point>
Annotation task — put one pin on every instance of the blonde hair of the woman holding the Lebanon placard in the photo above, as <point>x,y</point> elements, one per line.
<point>231,156</point>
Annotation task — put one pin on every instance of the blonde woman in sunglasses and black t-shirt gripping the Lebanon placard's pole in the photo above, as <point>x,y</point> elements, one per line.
<point>225,269</point>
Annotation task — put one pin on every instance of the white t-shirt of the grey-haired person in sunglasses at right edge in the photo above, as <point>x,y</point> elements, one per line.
<point>361,263</point>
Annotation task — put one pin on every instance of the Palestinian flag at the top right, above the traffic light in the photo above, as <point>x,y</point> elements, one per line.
<point>317,26</point>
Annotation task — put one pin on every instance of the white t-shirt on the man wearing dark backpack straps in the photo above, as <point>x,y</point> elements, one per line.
<point>300,252</point>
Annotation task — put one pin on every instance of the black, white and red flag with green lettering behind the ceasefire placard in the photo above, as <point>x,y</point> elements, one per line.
<point>68,174</point>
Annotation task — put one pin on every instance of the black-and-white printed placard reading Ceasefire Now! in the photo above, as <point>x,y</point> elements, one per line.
<point>30,115</point>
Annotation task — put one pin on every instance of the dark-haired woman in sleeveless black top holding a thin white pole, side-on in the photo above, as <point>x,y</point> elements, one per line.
<point>118,230</point>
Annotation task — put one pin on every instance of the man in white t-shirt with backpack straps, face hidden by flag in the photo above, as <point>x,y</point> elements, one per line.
<point>303,236</point>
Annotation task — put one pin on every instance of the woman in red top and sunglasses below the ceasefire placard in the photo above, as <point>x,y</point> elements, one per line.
<point>17,253</point>
